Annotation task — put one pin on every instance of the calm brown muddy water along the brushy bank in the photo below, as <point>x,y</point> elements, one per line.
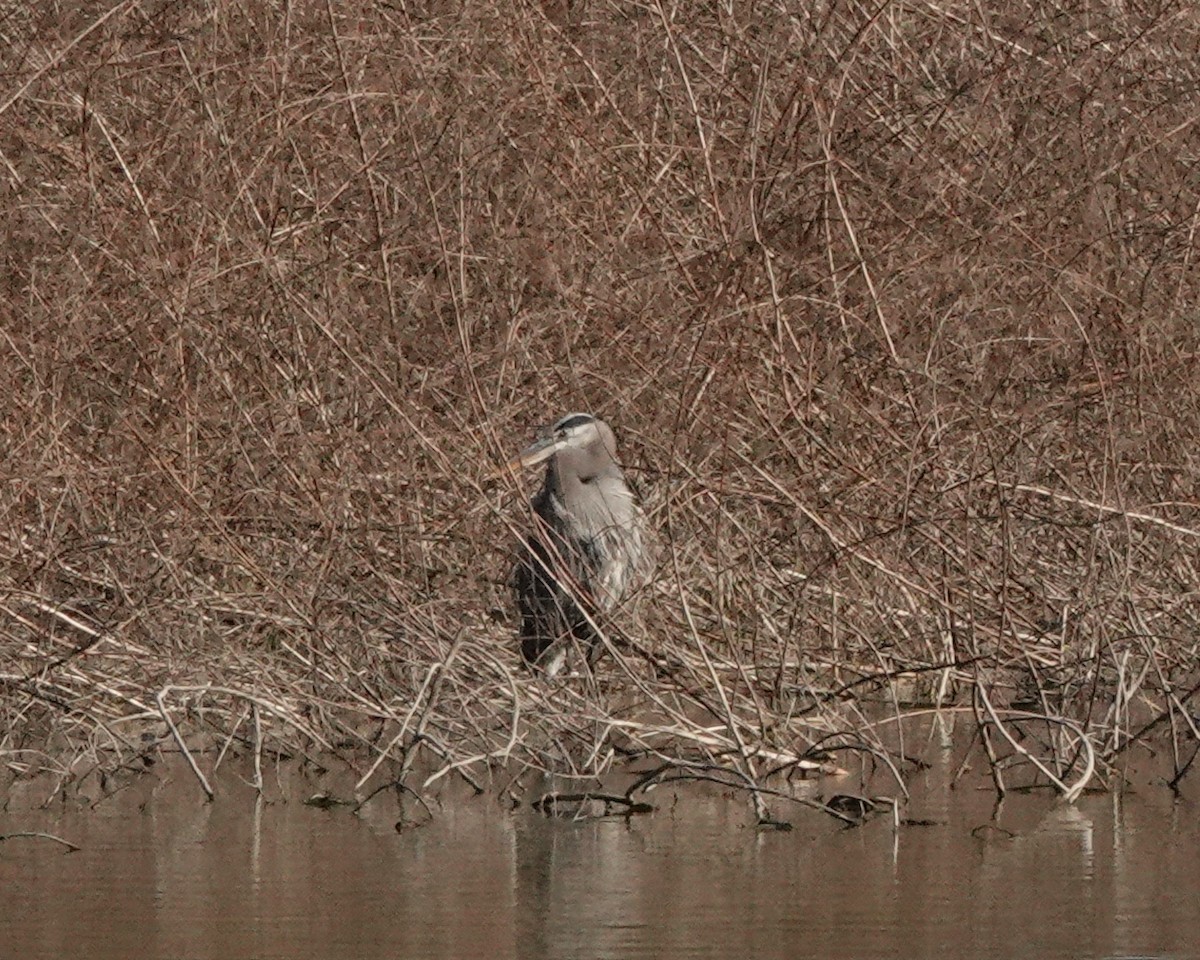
<point>164,875</point>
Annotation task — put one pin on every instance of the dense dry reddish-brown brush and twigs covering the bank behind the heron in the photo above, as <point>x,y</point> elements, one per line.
<point>895,308</point>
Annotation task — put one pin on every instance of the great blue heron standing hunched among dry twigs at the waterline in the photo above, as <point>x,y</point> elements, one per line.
<point>587,548</point>
